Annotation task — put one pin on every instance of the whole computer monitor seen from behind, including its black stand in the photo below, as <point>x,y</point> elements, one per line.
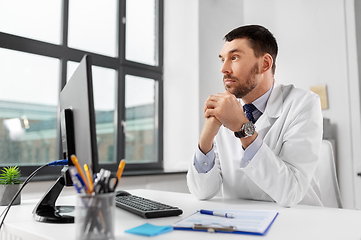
<point>77,124</point>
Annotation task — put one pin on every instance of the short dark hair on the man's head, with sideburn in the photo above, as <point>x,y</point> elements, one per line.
<point>259,39</point>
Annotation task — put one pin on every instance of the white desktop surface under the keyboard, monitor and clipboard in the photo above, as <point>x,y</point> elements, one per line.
<point>300,222</point>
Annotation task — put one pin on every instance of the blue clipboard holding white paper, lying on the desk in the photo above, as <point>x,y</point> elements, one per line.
<point>255,222</point>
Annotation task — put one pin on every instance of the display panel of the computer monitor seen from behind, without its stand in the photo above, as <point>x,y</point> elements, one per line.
<point>78,117</point>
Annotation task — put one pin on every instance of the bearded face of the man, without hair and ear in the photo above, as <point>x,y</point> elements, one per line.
<point>240,67</point>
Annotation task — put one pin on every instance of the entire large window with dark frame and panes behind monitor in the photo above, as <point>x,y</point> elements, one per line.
<point>39,51</point>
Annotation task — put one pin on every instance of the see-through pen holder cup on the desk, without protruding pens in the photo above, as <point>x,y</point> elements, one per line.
<point>94,216</point>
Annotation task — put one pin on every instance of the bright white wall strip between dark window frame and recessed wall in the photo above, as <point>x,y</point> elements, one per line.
<point>181,85</point>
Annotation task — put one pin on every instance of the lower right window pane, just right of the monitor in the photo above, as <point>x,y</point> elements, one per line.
<point>140,115</point>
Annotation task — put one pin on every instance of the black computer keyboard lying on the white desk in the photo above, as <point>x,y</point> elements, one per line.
<point>144,207</point>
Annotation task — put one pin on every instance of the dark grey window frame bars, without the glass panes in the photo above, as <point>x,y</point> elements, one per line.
<point>123,68</point>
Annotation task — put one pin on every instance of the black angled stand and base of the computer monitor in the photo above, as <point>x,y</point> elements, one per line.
<point>47,211</point>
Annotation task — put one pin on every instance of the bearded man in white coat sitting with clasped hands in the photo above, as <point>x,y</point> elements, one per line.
<point>260,140</point>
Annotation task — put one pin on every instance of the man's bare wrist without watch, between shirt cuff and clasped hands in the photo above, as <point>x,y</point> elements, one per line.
<point>210,130</point>
